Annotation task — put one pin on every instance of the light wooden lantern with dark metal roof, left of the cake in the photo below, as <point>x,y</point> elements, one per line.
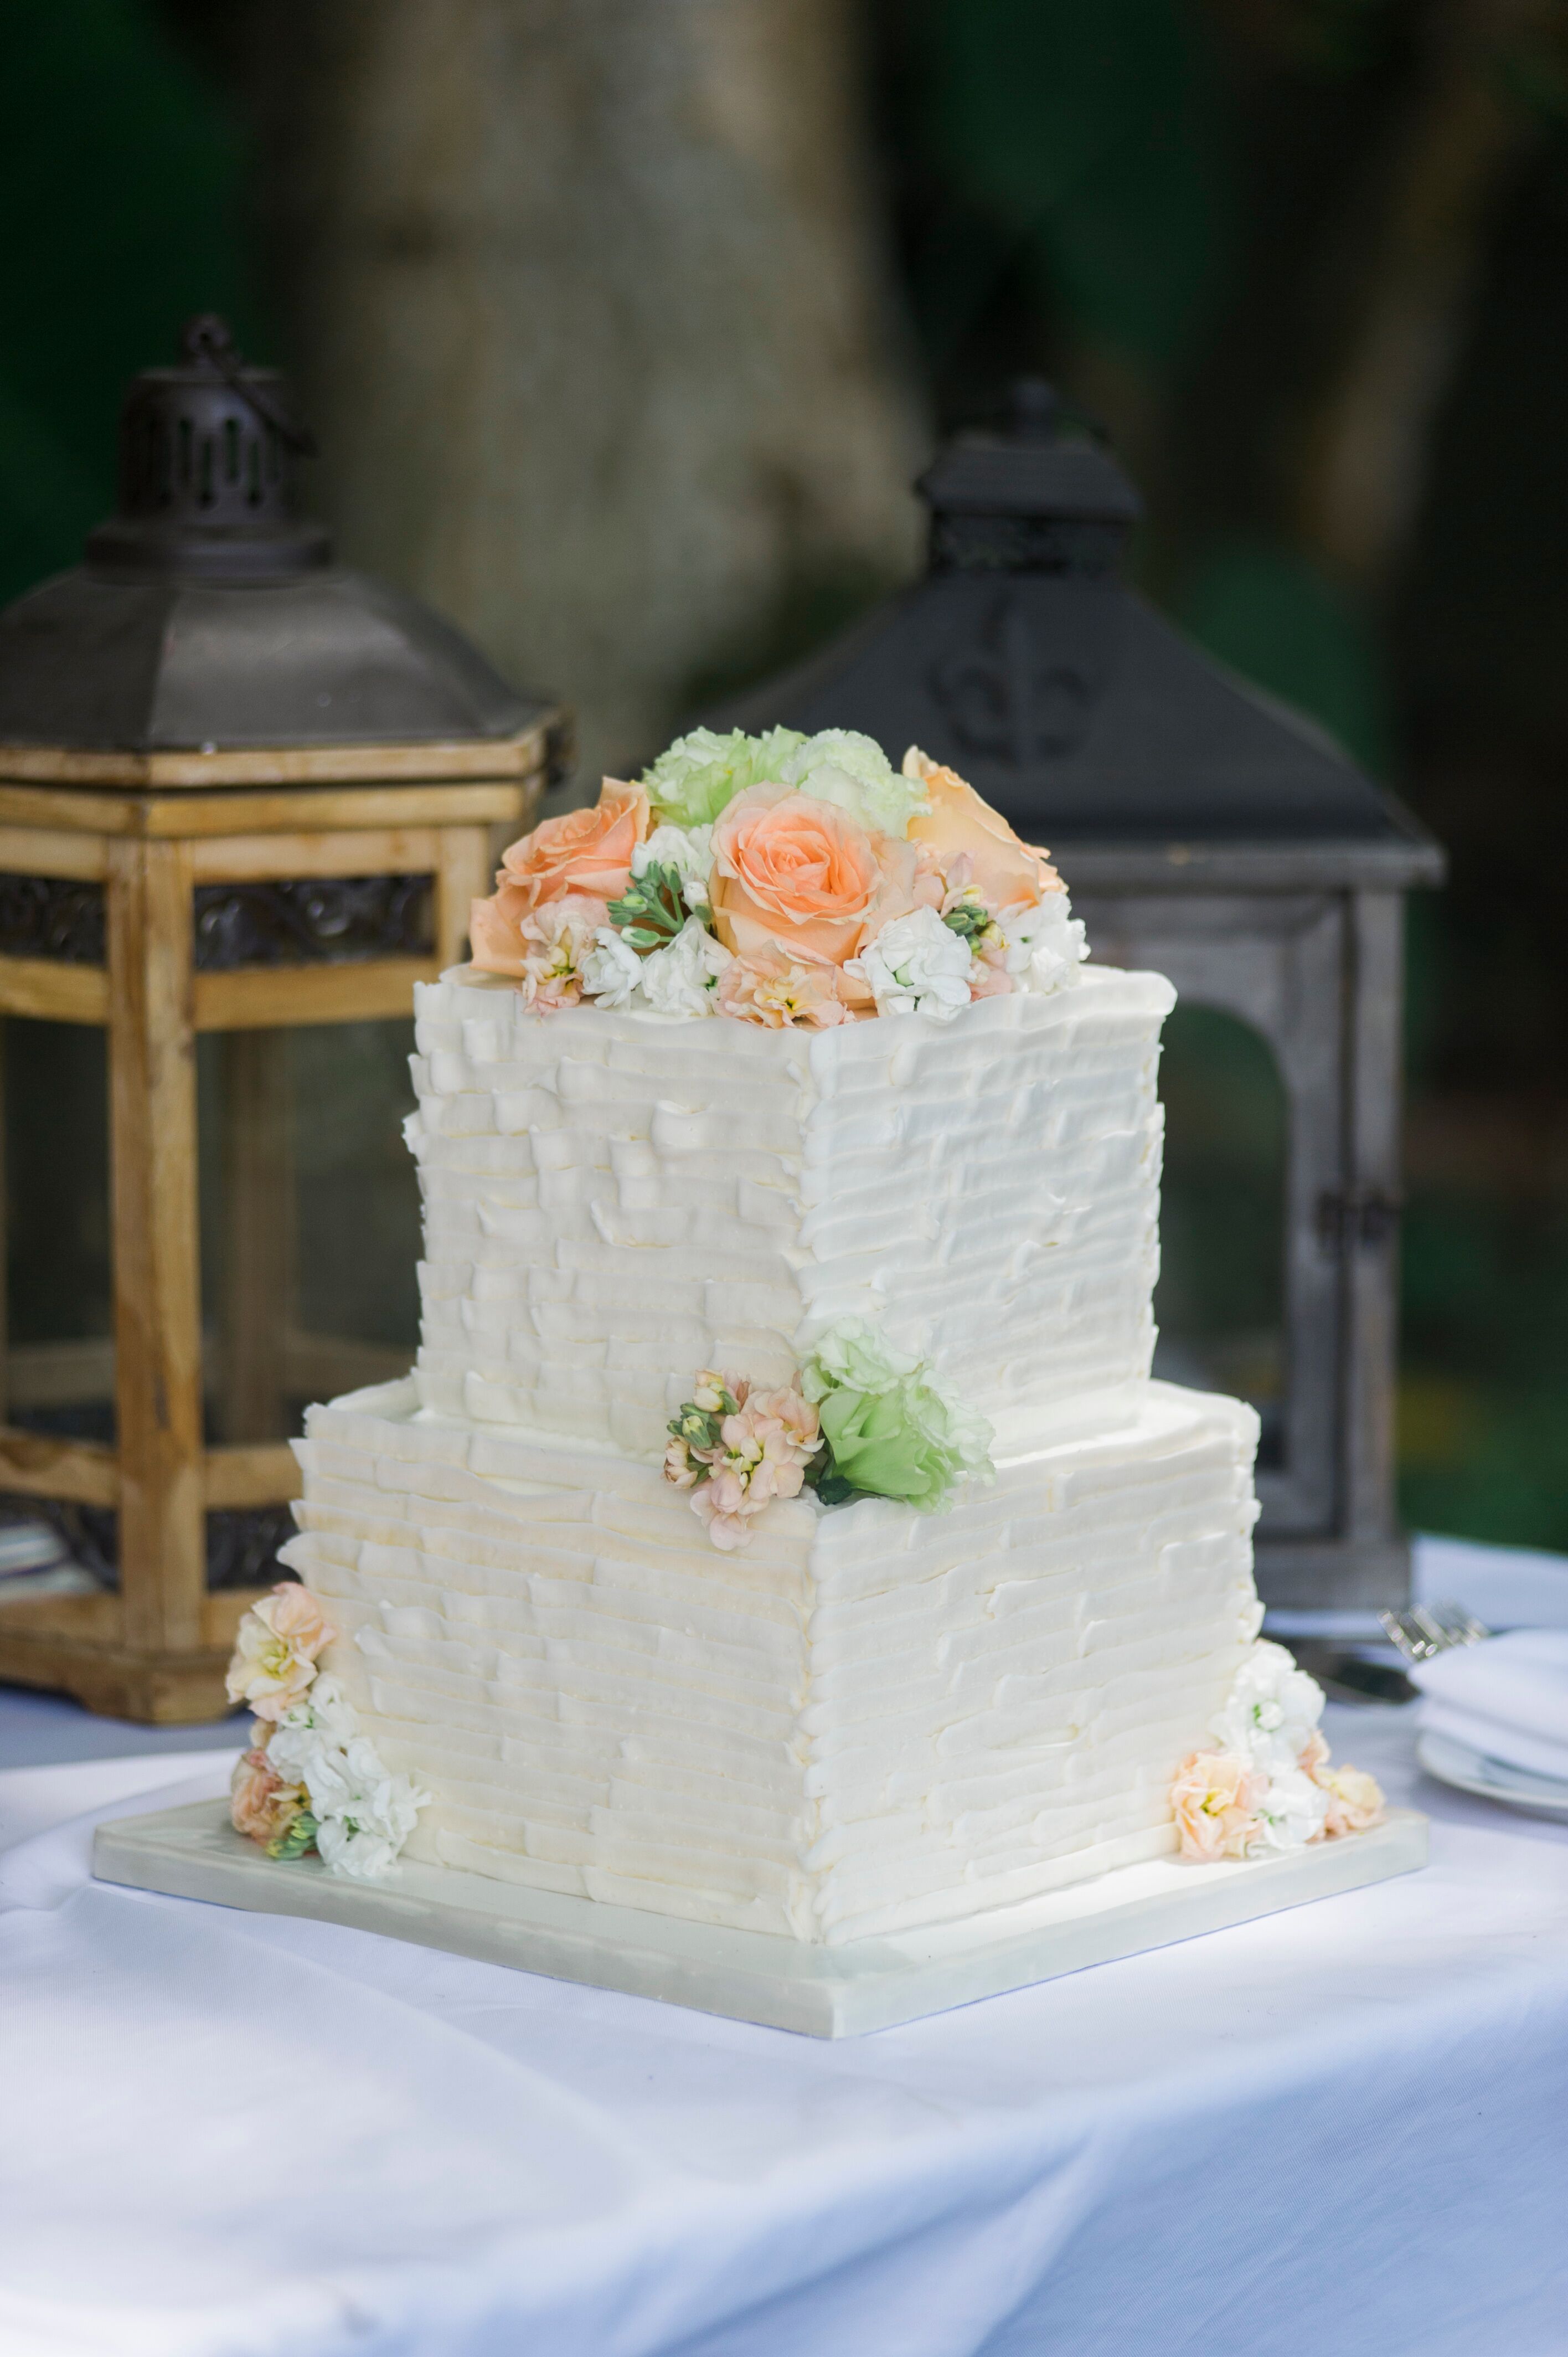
<point>242,791</point>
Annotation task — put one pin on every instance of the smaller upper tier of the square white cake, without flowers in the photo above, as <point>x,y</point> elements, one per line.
<point>614,1201</point>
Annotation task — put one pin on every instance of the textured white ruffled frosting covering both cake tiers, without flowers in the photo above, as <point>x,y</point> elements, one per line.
<point>869,1719</point>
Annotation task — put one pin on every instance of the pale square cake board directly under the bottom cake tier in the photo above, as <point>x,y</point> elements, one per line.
<point>753,1976</point>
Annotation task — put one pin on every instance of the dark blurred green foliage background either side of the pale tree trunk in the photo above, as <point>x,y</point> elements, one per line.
<point>1310,265</point>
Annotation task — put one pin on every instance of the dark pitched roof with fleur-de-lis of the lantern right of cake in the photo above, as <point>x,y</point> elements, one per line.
<point>1069,704</point>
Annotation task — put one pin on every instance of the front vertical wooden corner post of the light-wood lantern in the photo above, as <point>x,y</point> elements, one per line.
<point>157,1265</point>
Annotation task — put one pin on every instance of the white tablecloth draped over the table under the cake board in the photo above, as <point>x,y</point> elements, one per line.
<point>1336,2132</point>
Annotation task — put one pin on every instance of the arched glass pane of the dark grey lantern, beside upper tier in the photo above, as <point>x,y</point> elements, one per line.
<point>1220,1302</point>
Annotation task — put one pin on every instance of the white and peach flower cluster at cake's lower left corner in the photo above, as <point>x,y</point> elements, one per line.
<point>310,1781</point>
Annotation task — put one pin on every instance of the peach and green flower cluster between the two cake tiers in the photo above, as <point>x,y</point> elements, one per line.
<point>867,1422</point>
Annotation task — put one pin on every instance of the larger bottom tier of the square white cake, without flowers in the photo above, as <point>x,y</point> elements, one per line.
<point>862,1724</point>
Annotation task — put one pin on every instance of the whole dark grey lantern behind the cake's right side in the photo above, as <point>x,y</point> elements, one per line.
<point>1206,833</point>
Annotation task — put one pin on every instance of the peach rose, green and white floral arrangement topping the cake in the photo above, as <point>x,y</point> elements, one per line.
<point>779,880</point>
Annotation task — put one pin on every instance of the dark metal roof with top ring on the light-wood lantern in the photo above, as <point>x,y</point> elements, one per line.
<point>211,612</point>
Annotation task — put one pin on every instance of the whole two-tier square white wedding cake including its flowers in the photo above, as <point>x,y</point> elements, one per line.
<point>782,1526</point>
